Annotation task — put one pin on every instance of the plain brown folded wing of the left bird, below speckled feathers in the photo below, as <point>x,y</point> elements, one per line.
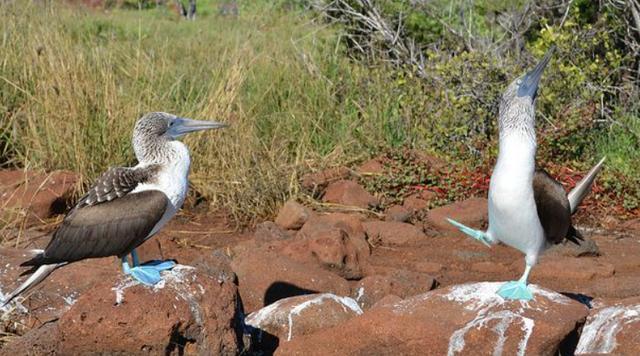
<point>112,228</point>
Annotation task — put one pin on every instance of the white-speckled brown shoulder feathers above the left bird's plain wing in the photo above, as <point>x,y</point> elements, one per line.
<point>116,183</point>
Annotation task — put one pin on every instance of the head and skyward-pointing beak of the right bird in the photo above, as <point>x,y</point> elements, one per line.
<point>517,104</point>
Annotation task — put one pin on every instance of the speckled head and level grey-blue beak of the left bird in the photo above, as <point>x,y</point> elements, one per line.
<point>156,128</point>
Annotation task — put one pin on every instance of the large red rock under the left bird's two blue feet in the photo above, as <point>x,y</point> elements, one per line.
<point>188,310</point>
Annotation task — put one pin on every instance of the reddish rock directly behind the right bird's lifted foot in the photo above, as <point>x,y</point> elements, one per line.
<point>471,212</point>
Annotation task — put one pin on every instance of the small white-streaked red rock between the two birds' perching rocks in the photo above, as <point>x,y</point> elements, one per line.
<point>295,316</point>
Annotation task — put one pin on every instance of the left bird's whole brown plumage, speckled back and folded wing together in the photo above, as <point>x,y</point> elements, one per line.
<point>107,221</point>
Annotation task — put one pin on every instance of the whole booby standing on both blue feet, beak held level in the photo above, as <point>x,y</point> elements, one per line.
<point>126,206</point>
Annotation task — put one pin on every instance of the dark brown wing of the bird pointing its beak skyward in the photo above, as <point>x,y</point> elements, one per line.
<point>553,207</point>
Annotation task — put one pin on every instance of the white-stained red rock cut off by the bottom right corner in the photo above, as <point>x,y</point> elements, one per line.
<point>612,330</point>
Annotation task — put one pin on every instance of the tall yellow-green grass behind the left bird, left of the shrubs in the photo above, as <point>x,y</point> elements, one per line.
<point>73,81</point>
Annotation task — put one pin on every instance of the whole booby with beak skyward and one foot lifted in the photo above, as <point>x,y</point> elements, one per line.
<point>528,210</point>
